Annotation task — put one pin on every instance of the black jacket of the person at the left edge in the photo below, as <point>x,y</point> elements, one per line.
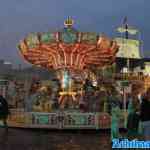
<point>3,108</point>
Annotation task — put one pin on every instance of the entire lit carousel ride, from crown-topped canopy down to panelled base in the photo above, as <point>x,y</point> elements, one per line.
<point>78,97</point>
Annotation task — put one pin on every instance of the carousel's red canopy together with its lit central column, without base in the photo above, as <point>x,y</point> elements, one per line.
<point>71,54</point>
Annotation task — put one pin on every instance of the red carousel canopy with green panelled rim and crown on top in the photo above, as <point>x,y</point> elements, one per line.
<point>68,48</point>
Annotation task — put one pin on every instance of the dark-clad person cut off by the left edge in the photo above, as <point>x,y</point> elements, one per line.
<point>3,110</point>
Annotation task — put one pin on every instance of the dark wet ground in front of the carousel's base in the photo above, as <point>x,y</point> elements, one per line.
<point>25,139</point>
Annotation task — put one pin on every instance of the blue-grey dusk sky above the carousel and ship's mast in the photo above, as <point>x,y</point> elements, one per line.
<point>20,17</point>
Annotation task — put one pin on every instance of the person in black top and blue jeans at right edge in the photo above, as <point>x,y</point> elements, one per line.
<point>145,115</point>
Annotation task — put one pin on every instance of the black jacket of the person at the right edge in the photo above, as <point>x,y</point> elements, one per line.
<point>145,110</point>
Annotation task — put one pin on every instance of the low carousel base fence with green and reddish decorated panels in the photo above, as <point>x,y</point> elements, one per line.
<point>60,120</point>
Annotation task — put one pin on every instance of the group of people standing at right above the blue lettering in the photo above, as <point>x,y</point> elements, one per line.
<point>139,115</point>
